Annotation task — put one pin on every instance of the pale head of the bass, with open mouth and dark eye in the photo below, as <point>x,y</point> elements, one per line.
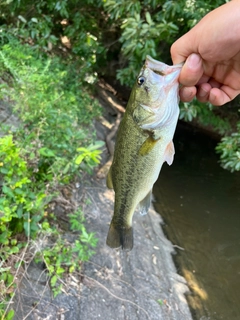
<point>156,92</point>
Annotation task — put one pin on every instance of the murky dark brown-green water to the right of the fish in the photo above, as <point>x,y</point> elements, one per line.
<point>200,205</point>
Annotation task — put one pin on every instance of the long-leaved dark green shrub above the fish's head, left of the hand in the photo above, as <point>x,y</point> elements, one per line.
<point>149,27</point>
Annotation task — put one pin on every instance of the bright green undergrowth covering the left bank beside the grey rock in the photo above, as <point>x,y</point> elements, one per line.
<point>54,142</point>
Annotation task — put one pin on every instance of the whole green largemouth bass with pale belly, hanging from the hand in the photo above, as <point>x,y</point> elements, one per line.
<point>143,144</point>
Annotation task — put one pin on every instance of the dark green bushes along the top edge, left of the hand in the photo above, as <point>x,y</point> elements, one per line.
<point>141,28</point>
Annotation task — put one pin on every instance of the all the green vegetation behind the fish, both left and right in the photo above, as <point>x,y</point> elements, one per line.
<point>51,55</point>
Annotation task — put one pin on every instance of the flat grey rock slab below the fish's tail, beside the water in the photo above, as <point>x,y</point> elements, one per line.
<point>140,284</point>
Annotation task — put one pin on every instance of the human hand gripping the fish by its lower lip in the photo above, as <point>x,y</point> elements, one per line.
<point>211,51</point>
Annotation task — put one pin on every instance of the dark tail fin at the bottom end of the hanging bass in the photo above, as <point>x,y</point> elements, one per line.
<point>120,237</point>
